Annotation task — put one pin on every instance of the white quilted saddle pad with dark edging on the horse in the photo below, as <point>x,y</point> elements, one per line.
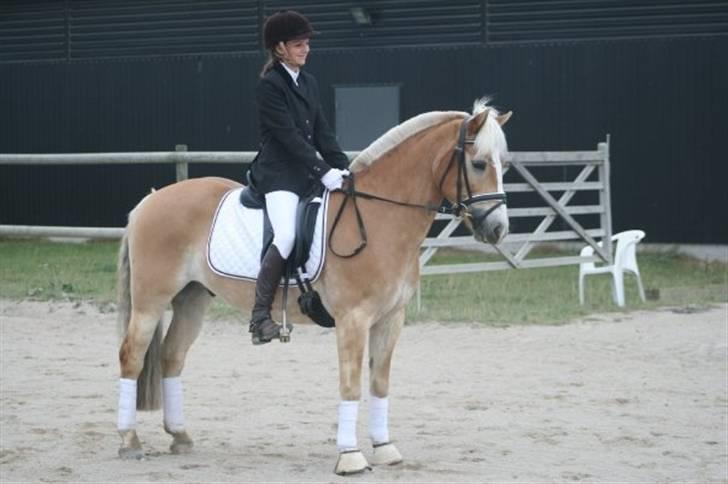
<point>236,239</point>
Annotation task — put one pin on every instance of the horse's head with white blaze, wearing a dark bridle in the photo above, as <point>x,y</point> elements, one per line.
<point>473,180</point>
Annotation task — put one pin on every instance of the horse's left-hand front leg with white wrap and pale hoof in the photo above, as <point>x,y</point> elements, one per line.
<point>351,334</point>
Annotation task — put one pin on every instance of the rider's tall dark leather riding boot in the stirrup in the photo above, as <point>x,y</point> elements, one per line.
<point>262,326</point>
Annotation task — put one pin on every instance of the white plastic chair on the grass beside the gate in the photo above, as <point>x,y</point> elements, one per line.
<point>625,260</point>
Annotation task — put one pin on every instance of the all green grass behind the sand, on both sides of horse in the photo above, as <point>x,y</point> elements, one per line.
<point>87,271</point>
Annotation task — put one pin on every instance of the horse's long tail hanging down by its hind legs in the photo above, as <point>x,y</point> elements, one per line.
<point>149,383</point>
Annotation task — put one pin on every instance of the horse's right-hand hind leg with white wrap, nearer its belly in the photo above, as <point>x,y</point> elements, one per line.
<point>188,310</point>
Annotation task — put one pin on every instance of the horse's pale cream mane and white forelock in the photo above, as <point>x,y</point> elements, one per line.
<point>412,126</point>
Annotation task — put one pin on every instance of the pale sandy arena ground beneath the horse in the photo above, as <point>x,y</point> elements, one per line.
<point>638,397</point>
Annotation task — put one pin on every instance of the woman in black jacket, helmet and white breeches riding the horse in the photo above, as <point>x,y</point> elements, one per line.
<point>292,129</point>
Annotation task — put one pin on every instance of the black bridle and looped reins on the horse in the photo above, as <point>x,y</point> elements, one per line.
<point>460,207</point>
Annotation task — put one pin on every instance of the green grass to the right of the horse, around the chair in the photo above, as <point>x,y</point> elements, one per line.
<point>550,295</point>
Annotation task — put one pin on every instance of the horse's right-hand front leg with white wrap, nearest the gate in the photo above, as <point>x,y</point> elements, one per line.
<point>383,337</point>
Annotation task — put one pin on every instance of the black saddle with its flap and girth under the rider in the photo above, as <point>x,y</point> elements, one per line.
<point>309,301</point>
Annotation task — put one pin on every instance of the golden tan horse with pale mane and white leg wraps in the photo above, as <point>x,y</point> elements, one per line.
<point>434,156</point>
